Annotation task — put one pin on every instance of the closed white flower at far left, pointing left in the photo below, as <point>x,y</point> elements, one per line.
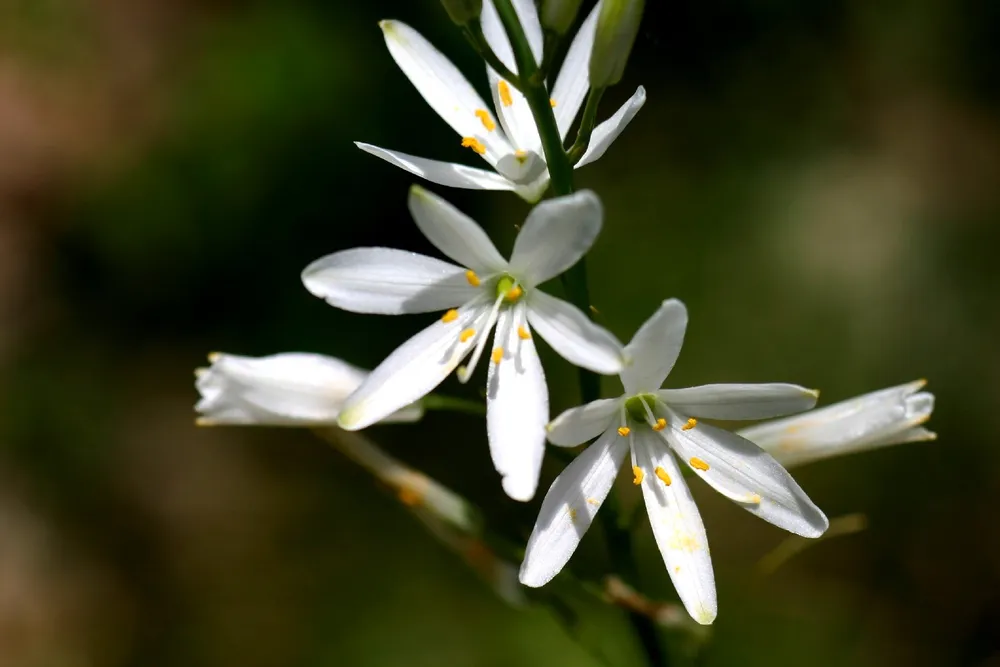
<point>291,389</point>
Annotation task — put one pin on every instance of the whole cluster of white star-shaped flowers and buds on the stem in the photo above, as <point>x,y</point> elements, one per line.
<point>478,294</point>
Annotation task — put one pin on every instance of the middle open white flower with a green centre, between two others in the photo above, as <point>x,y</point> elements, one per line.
<point>486,290</point>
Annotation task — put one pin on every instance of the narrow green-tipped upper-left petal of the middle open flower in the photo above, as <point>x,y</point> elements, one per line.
<point>454,233</point>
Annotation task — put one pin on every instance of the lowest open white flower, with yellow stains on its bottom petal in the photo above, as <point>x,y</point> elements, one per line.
<point>656,425</point>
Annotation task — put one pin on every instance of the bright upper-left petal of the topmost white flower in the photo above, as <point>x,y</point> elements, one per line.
<point>441,84</point>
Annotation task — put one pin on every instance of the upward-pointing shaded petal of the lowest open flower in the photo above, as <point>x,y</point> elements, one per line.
<point>653,351</point>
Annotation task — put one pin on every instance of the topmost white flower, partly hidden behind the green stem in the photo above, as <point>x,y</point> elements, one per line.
<point>512,145</point>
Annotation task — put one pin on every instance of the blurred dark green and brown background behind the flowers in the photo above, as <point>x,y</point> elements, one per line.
<point>818,181</point>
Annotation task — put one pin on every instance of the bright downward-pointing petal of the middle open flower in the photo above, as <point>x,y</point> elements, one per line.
<point>517,408</point>
